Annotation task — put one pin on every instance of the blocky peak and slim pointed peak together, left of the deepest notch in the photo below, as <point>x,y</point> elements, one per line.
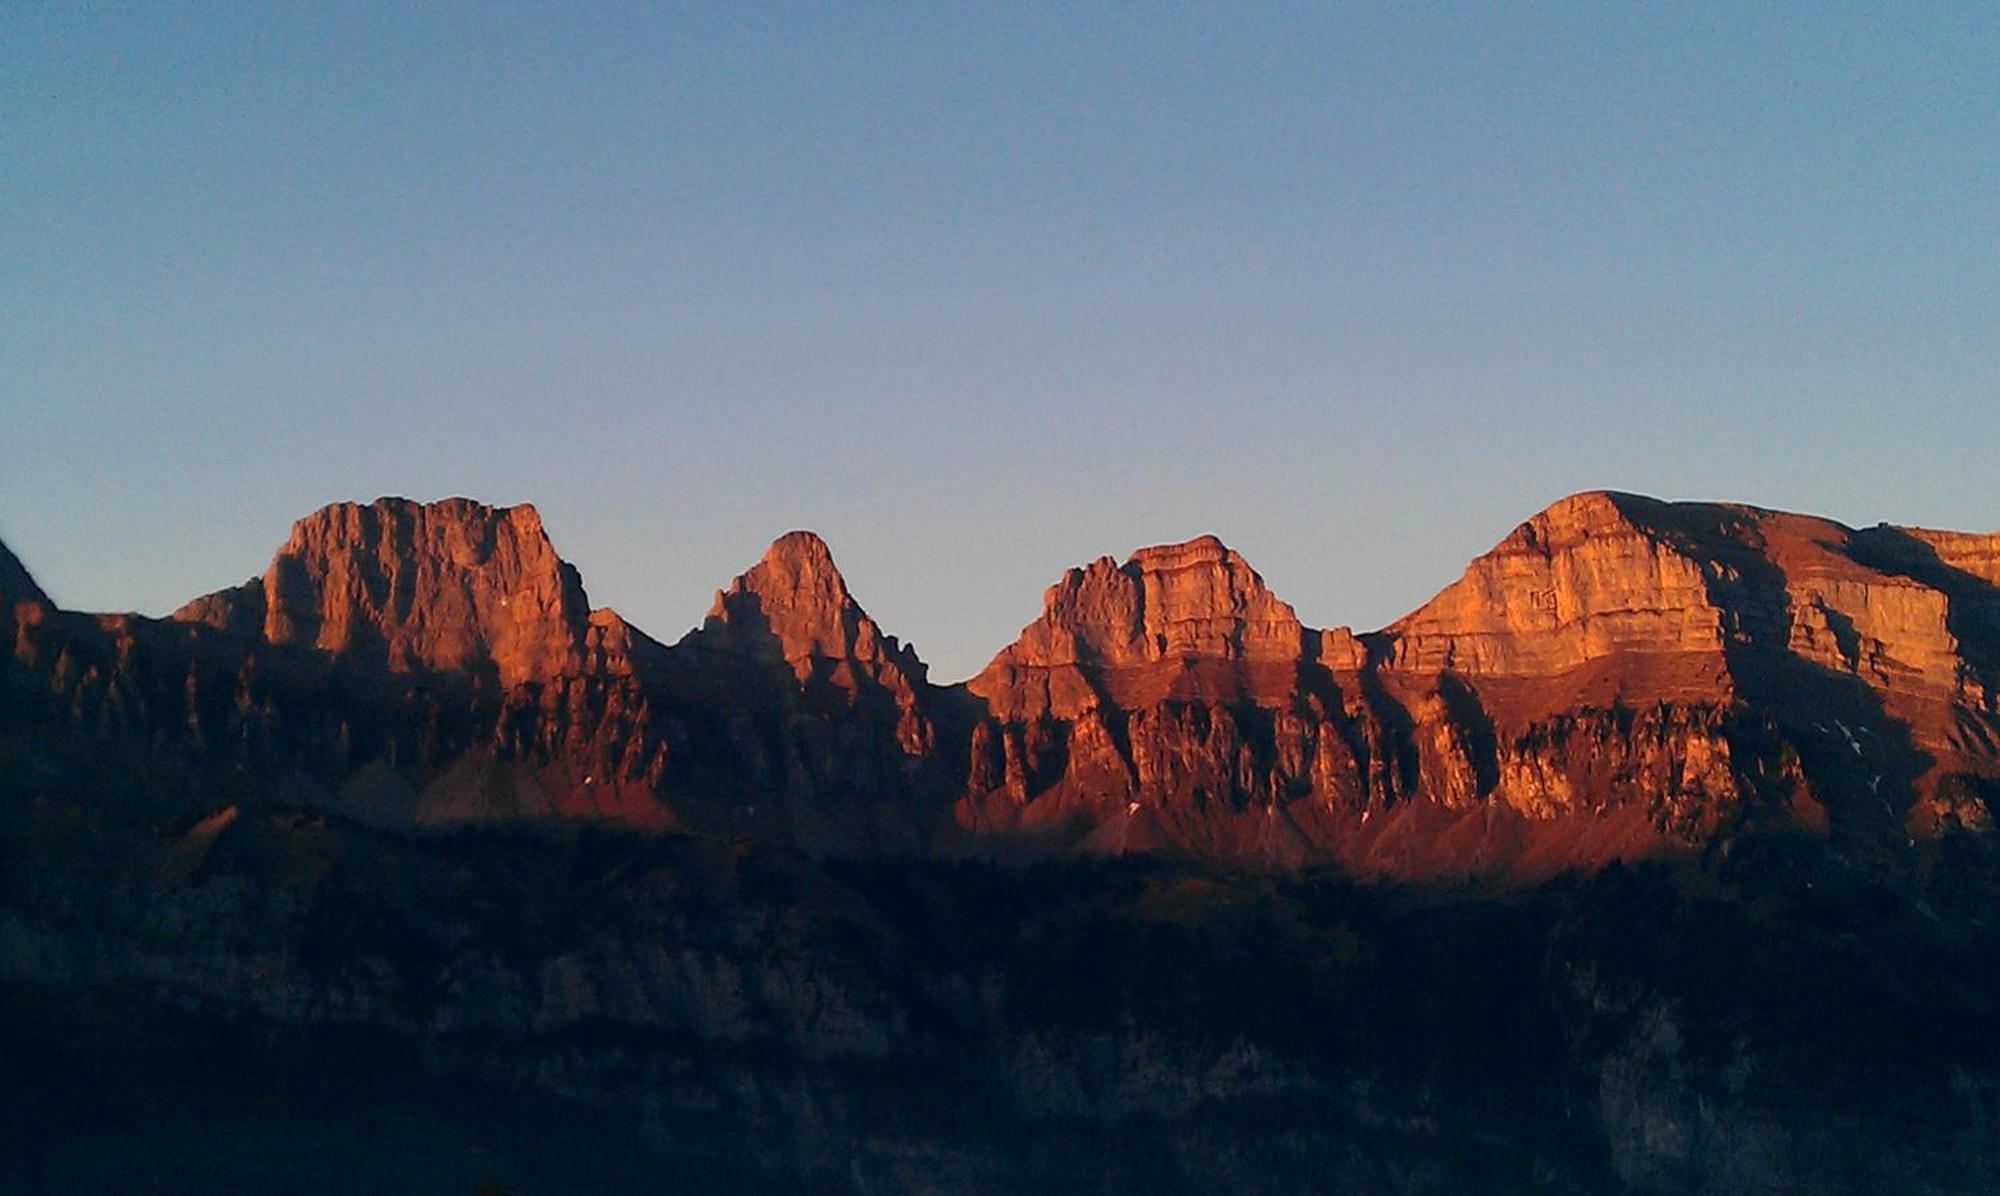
<point>427,665</point>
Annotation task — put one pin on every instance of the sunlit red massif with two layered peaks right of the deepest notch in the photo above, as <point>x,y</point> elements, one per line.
<point>1617,677</point>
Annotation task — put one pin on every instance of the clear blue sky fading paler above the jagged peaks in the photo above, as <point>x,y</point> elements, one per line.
<point>981,293</point>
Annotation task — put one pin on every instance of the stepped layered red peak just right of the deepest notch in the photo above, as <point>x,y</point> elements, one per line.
<point>1155,705</point>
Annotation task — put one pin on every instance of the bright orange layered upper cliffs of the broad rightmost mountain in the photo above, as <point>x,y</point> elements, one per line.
<point>1603,577</point>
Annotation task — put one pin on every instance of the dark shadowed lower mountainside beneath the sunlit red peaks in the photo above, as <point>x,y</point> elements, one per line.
<point>635,1011</point>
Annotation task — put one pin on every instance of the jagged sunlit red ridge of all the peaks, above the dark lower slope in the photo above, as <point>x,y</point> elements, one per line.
<point>1617,679</point>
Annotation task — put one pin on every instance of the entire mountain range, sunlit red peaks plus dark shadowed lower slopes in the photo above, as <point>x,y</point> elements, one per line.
<point>1651,855</point>
